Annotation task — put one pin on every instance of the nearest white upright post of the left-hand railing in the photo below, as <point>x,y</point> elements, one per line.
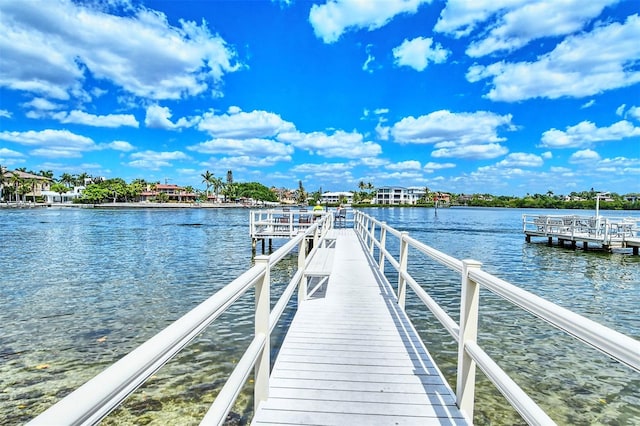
<point>261,370</point>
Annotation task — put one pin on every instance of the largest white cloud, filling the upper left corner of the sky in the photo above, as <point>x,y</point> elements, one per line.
<point>141,52</point>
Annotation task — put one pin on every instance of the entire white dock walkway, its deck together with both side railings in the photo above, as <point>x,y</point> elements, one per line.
<point>351,355</point>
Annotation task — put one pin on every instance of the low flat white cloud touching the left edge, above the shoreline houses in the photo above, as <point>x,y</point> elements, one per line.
<point>52,143</point>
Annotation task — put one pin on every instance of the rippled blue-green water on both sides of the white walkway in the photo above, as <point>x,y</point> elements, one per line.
<point>80,288</point>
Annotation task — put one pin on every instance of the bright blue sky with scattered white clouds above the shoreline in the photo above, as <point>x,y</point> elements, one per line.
<point>487,96</point>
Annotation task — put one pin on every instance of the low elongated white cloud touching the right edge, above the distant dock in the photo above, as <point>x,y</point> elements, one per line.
<point>586,133</point>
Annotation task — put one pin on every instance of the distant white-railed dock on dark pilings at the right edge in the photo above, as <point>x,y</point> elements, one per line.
<point>606,232</point>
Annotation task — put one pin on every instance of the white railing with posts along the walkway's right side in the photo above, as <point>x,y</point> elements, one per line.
<point>618,346</point>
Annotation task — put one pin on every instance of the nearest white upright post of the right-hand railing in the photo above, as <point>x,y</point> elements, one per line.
<point>466,375</point>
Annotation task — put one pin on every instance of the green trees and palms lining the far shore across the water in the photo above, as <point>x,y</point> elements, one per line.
<point>99,190</point>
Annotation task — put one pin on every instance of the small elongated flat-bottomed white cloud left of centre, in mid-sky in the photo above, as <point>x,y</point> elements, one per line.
<point>244,125</point>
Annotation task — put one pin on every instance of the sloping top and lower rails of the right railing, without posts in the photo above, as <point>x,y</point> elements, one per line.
<point>618,346</point>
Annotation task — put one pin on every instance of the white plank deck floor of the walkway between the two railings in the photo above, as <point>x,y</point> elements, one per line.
<point>351,356</point>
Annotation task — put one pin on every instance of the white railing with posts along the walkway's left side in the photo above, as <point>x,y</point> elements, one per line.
<point>95,399</point>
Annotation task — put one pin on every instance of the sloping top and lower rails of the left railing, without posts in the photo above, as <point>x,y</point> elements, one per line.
<point>95,399</point>
